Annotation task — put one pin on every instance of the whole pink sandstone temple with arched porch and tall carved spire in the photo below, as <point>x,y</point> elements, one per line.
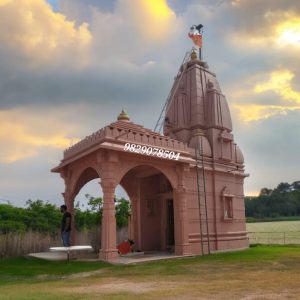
<point>185,186</point>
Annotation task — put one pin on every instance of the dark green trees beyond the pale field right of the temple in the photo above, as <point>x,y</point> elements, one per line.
<point>283,202</point>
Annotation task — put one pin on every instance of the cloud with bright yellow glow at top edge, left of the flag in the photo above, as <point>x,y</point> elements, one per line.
<point>149,21</point>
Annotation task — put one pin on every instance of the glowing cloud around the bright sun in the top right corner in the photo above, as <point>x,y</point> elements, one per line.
<point>271,27</point>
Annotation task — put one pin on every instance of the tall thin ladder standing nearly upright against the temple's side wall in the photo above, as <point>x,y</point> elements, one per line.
<point>202,203</point>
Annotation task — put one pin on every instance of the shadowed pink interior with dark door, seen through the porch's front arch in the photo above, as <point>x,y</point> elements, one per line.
<point>152,219</point>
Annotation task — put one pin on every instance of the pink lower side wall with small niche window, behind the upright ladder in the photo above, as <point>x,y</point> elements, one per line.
<point>224,233</point>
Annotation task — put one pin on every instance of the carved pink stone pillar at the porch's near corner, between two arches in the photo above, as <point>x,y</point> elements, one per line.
<point>108,228</point>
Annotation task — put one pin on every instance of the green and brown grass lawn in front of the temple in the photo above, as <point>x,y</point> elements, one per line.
<point>257,273</point>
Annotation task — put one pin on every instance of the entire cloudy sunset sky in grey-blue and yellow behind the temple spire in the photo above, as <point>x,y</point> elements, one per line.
<point>68,67</point>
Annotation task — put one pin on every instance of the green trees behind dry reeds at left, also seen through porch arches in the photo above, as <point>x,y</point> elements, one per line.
<point>45,217</point>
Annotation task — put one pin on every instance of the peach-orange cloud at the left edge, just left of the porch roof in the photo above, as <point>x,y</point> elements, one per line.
<point>24,136</point>
